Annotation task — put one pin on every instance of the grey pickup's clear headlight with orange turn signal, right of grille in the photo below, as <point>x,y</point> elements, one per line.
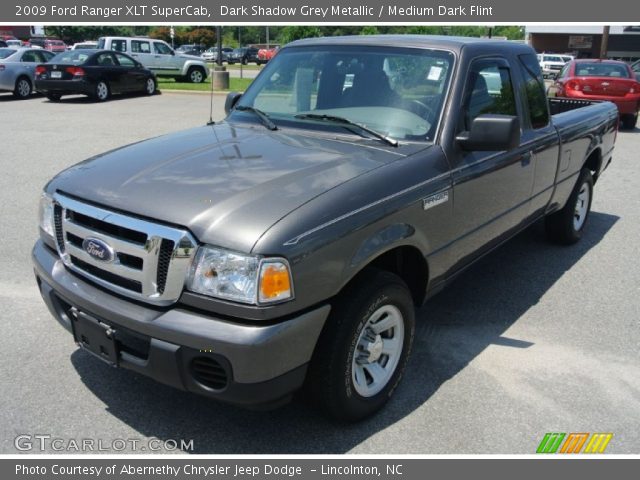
<point>241,278</point>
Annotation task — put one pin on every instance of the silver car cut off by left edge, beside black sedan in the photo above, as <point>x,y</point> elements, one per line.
<point>17,69</point>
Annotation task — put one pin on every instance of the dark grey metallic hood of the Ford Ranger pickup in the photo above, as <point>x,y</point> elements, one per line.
<point>226,183</point>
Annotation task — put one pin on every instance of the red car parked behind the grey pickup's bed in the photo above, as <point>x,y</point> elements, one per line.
<point>601,80</point>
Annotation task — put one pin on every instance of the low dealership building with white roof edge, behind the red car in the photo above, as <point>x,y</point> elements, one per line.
<point>585,41</point>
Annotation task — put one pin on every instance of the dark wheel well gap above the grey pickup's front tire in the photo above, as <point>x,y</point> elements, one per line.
<point>410,265</point>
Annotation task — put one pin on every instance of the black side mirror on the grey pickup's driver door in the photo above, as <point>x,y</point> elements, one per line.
<point>491,133</point>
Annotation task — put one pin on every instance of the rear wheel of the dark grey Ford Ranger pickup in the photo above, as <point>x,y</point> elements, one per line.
<point>564,226</point>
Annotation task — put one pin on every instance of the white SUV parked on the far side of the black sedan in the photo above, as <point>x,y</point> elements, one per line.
<point>158,57</point>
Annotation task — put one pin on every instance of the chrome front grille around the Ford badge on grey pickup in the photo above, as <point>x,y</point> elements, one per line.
<point>145,260</point>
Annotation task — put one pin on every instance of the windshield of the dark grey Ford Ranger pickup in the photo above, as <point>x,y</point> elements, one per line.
<point>398,92</point>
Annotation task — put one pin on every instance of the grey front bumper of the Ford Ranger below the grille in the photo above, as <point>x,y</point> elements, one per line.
<point>261,364</point>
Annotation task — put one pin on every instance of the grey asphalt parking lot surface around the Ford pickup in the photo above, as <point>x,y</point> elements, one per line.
<point>534,338</point>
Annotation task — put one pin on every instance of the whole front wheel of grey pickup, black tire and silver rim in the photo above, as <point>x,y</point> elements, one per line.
<point>364,347</point>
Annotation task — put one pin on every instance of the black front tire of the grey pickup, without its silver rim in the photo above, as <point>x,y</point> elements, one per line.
<point>331,378</point>
